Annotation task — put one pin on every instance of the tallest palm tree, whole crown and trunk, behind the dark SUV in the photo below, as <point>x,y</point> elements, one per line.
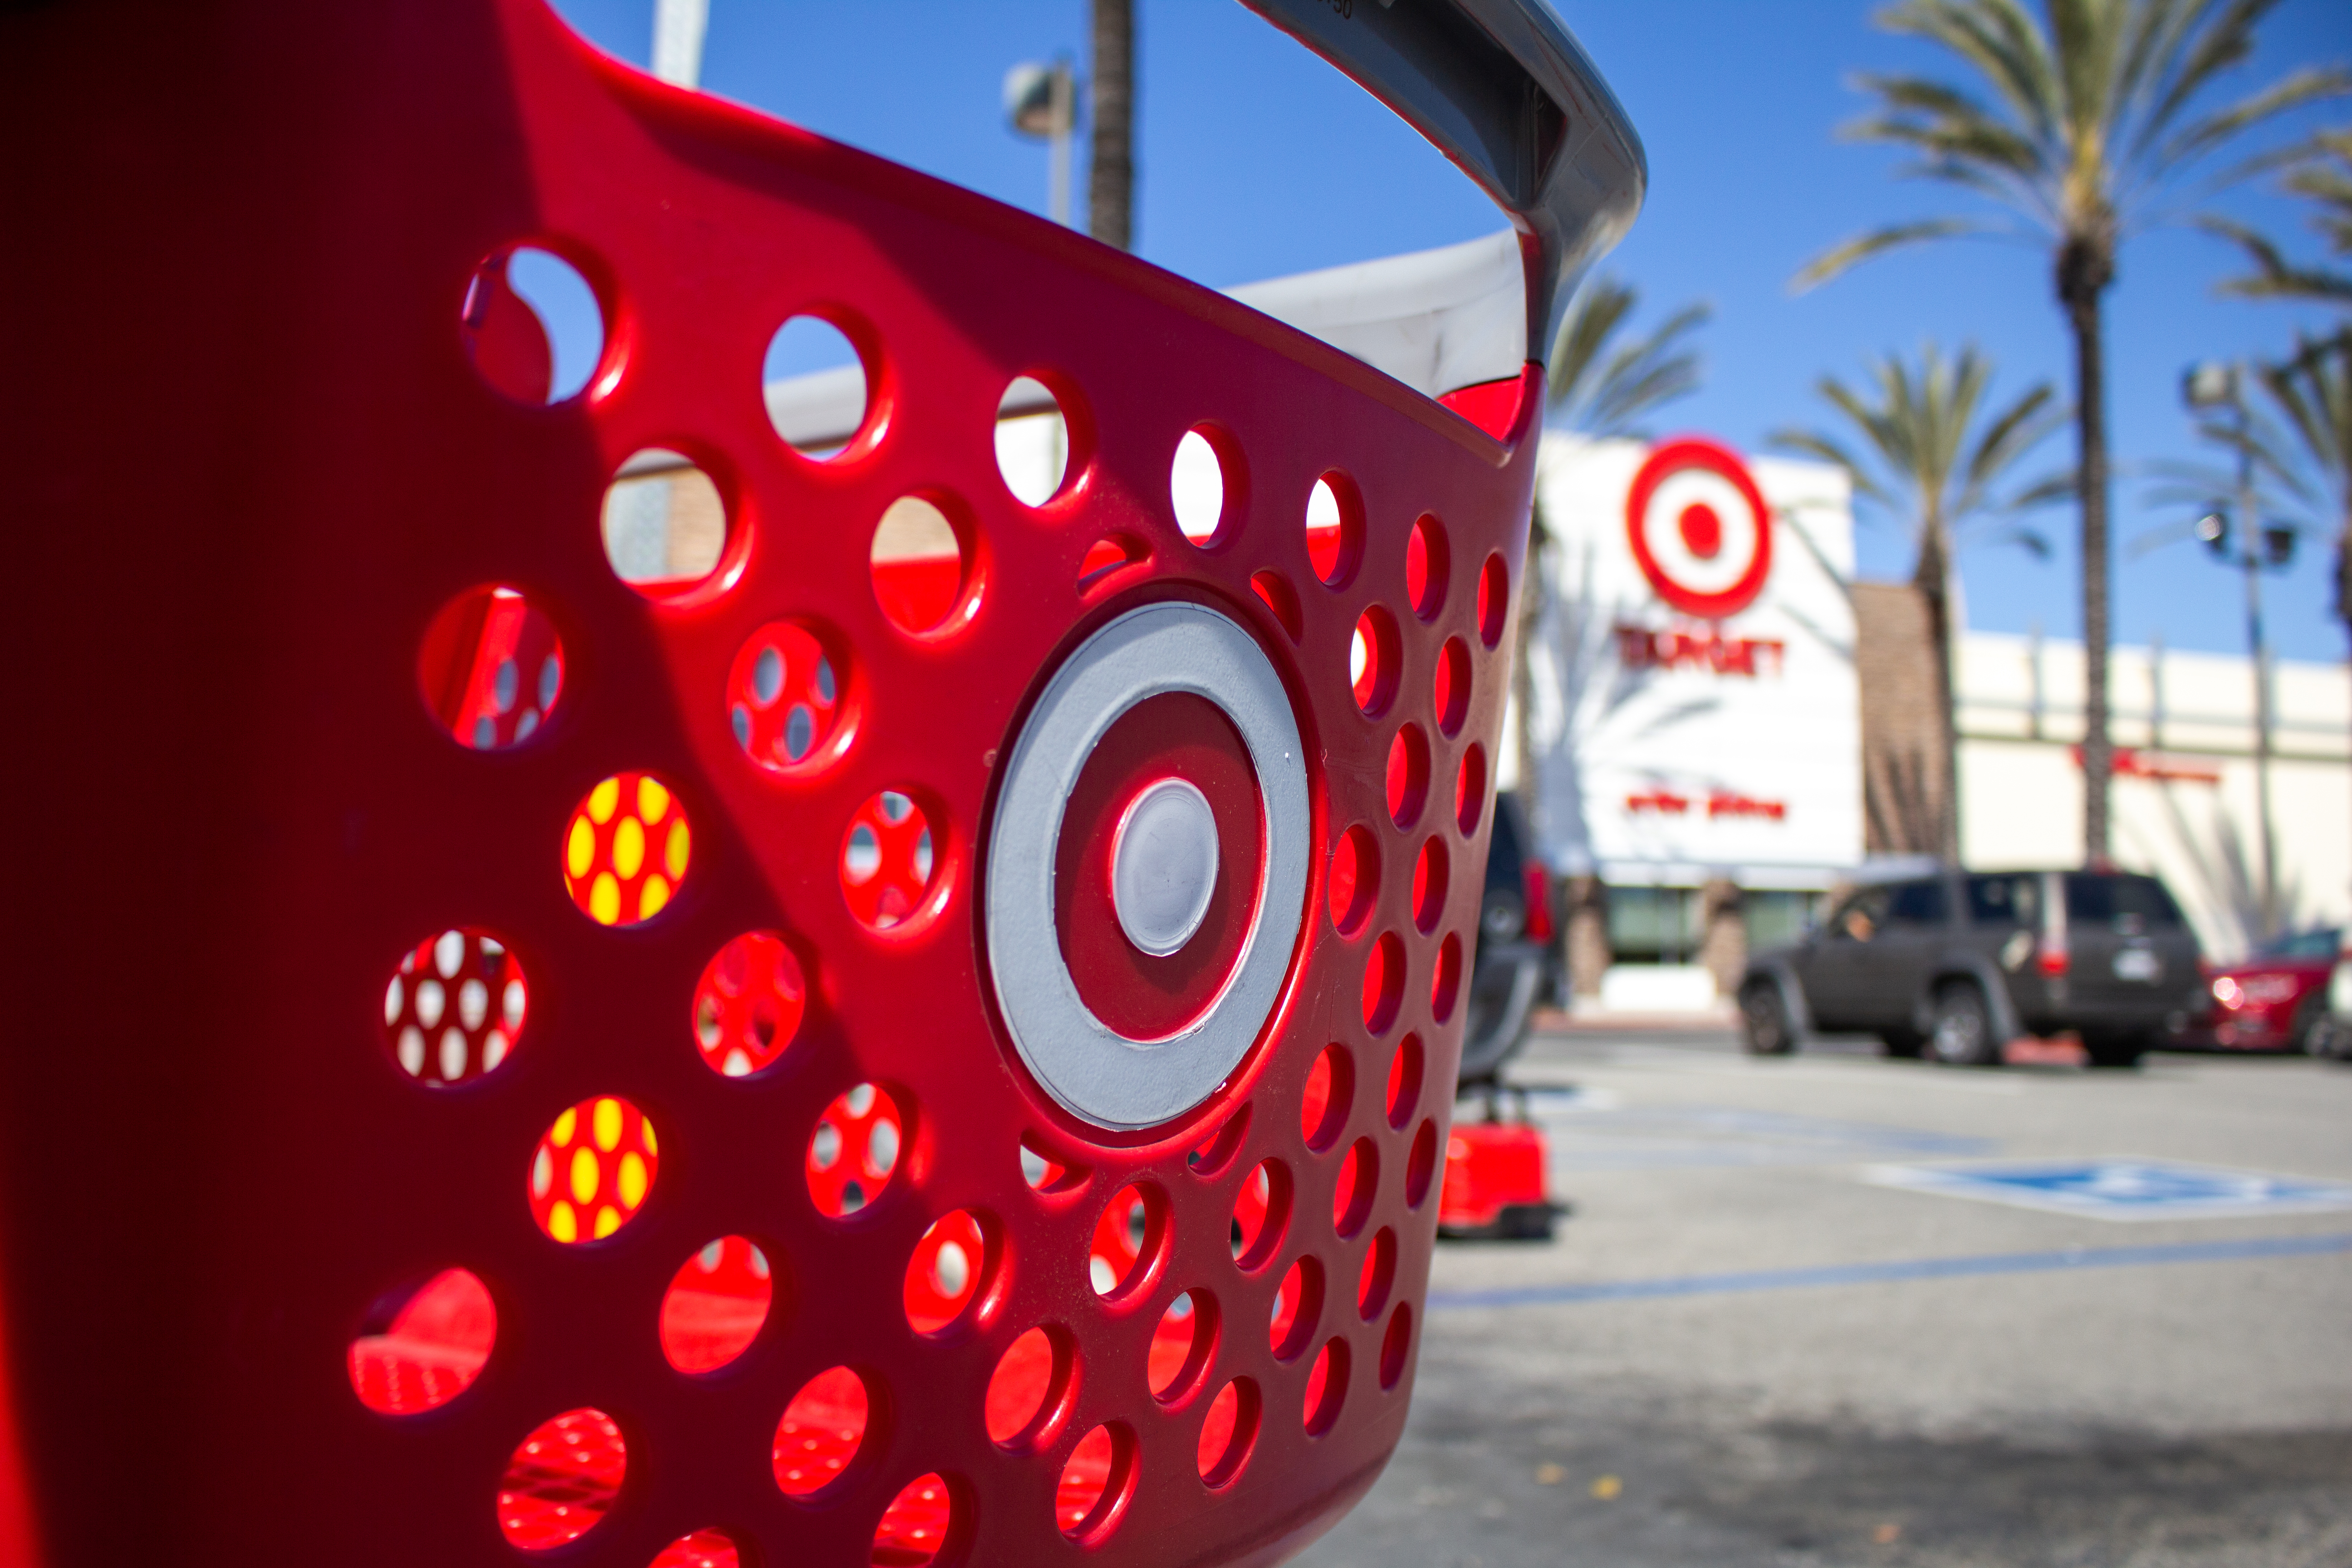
<point>2092,126</point>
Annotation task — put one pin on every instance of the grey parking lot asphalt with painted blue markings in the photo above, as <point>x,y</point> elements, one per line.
<point>1753,1346</point>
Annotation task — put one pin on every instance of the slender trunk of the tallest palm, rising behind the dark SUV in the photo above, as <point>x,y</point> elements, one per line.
<point>2085,272</point>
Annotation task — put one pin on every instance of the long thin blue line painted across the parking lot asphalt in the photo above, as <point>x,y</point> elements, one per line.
<point>1911,1268</point>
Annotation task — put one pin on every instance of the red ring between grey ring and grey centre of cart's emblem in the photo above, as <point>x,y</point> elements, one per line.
<point>1168,737</point>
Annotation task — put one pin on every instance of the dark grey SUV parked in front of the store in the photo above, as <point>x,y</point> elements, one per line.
<point>1960,963</point>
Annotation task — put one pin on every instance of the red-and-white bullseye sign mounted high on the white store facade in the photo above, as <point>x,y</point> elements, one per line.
<point>1699,530</point>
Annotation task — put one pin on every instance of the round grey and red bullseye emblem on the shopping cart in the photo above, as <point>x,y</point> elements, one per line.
<point>1147,866</point>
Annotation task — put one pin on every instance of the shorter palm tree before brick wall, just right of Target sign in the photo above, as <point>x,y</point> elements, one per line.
<point>1920,462</point>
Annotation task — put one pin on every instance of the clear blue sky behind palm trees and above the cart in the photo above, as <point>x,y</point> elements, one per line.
<point>1255,159</point>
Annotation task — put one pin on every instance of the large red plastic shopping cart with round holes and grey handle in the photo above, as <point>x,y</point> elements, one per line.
<point>606,977</point>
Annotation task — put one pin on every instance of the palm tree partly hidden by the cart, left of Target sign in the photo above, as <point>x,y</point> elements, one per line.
<point>1601,387</point>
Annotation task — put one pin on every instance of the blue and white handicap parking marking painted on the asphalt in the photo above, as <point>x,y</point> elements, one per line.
<point>2123,1188</point>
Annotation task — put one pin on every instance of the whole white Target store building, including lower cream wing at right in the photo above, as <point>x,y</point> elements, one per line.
<point>1697,690</point>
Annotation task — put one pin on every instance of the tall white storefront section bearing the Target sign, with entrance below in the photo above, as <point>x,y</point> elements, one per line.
<point>1695,728</point>
